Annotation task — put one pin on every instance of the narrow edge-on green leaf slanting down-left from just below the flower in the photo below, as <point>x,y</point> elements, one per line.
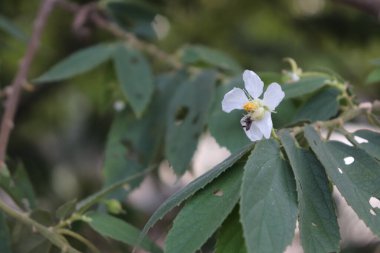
<point>177,198</point>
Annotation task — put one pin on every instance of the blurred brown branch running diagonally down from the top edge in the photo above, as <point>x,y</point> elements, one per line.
<point>102,22</point>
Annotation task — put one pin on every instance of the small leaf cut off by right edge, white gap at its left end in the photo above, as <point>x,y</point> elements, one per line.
<point>370,142</point>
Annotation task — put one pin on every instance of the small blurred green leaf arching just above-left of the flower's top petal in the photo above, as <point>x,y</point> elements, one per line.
<point>201,54</point>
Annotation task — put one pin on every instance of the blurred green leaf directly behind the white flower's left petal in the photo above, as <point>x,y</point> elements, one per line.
<point>221,122</point>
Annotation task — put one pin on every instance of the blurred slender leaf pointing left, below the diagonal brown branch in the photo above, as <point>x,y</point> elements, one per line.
<point>77,63</point>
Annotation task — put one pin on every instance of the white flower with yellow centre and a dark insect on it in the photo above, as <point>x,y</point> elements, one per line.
<point>257,123</point>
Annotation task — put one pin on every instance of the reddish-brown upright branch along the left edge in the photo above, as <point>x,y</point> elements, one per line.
<point>14,90</point>
